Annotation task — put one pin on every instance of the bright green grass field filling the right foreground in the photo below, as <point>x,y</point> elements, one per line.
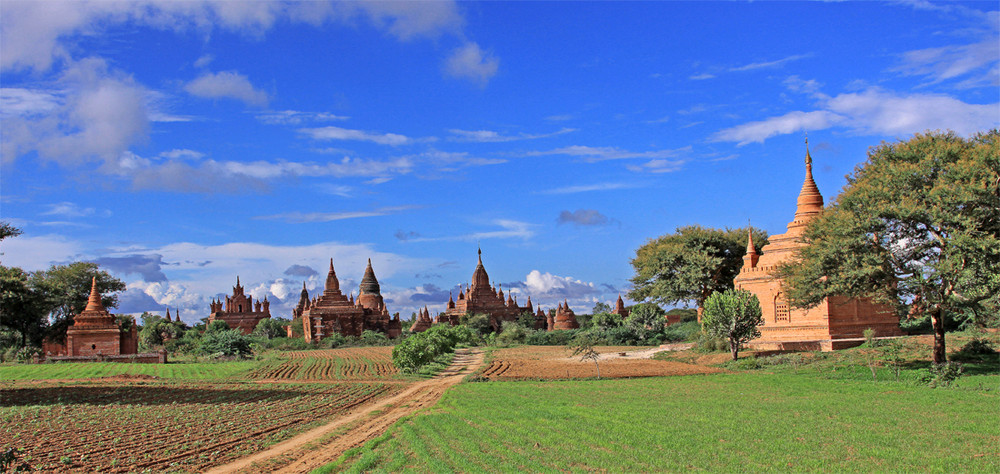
<point>752,421</point>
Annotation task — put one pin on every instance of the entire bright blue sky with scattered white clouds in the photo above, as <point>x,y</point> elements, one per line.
<point>180,144</point>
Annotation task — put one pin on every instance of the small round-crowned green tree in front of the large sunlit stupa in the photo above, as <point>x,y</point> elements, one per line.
<point>734,315</point>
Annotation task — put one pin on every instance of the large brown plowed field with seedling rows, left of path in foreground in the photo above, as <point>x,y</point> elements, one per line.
<point>165,426</point>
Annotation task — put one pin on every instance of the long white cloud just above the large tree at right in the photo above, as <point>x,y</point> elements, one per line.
<point>873,111</point>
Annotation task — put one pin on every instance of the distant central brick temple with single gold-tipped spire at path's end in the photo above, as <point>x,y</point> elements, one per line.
<point>482,298</point>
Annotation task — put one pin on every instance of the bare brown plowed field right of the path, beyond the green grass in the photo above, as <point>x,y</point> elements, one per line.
<point>555,362</point>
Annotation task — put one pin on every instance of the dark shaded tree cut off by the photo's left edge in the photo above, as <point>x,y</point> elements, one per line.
<point>21,306</point>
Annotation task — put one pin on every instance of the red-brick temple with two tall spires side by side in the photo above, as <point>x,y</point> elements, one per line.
<point>334,312</point>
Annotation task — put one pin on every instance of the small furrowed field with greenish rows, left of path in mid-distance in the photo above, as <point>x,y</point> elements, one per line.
<point>356,363</point>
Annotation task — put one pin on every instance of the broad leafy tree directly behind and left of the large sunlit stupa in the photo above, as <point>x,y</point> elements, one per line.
<point>690,264</point>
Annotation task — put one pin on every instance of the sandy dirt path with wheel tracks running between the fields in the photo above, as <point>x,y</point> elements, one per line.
<point>318,447</point>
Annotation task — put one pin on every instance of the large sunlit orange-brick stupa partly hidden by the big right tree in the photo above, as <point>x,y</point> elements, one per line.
<point>835,323</point>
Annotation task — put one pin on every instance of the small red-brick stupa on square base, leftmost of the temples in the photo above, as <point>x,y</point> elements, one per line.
<point>95,332</point>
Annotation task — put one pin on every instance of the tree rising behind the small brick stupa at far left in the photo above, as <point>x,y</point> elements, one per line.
<point>66,288</point>
